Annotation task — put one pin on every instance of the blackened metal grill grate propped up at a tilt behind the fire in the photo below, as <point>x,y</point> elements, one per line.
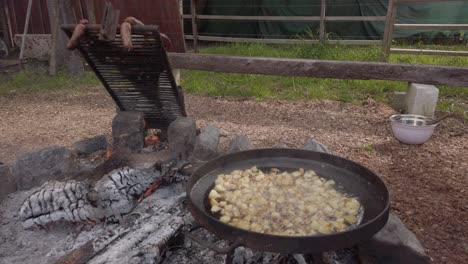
<point>138,80</point>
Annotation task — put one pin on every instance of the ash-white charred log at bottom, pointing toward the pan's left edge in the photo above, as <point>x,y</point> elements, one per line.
<point>145,239</point>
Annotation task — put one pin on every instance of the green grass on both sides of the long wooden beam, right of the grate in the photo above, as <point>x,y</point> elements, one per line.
<point>262,87</point>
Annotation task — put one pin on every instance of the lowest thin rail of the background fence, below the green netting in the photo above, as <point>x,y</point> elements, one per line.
<point>285,41</point>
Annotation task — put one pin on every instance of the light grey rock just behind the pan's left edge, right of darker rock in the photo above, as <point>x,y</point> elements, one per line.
<point>206,144</point>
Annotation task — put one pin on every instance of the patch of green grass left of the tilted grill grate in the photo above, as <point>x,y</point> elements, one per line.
<point>36,79</point>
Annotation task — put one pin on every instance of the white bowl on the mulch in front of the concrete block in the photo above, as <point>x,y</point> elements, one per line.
<point>412,129</point>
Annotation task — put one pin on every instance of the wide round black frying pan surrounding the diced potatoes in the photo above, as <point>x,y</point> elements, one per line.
<point>355,179</point>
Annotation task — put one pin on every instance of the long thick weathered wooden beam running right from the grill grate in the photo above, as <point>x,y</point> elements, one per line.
<point>426,74</point>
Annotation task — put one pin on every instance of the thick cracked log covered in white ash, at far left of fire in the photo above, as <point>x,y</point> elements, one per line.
<point>109,198</point>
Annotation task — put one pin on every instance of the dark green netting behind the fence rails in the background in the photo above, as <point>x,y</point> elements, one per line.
<point>439,13</point>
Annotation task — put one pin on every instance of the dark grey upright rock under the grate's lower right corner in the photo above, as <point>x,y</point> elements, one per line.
<point>181,136</point>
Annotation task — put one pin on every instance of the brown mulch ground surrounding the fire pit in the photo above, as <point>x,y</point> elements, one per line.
<point>428,183</point>
